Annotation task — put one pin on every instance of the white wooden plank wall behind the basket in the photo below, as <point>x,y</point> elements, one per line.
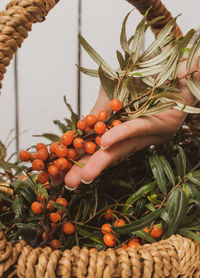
<point>46,62</point>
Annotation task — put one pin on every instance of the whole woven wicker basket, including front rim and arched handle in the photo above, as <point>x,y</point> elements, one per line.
<point>174,257</point>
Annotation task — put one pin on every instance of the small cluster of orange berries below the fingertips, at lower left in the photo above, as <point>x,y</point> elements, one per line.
<point>55,218</point>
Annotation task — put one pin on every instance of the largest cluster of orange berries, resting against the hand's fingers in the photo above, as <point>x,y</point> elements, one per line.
<point>59,157</point>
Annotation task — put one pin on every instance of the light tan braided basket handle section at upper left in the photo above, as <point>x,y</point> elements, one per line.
<point>15,23</point>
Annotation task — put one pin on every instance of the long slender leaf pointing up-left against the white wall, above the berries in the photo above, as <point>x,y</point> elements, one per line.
<point>96,57</point>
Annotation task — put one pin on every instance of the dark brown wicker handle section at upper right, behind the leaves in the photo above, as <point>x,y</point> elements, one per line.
<point>157,9</point>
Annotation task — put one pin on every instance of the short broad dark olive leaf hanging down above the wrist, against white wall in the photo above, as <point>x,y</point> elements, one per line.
<point>107,83</point>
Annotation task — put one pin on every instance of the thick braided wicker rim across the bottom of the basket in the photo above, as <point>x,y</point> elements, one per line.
<point>175,257</point>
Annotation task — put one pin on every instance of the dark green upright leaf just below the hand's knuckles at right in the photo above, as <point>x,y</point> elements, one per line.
<point>158,173</point>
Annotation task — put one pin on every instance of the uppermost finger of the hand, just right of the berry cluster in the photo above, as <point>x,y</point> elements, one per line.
<point>161,124</point>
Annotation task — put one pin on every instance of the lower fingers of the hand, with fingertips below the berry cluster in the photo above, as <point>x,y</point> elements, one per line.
<point>100,160</point>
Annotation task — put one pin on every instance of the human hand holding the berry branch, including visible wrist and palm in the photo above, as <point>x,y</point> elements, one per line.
<point>131,136</point>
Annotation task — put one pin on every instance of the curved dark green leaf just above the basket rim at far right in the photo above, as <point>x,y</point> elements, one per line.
<point>179,212</point>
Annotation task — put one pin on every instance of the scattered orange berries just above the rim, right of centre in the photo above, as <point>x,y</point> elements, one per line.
<point>110,236</point>
